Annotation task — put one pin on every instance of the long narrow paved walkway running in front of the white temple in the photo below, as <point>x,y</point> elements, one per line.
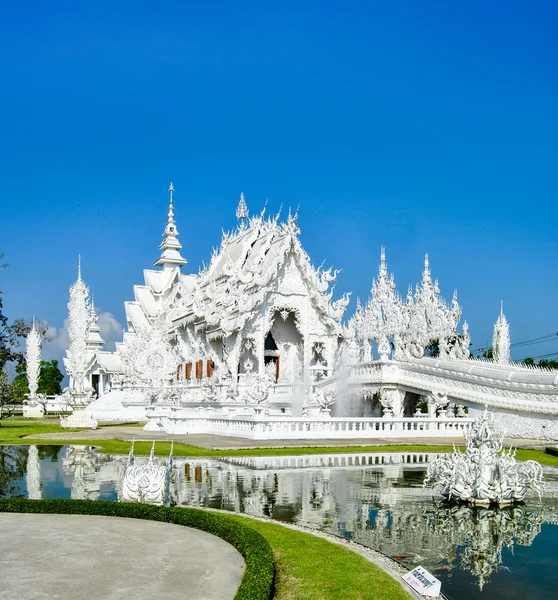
<point>223,442</point>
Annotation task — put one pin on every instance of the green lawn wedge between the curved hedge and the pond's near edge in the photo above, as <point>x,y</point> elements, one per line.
<point>309,567</point>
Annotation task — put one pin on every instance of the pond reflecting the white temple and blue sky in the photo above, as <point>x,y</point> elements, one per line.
<point>375,499</point>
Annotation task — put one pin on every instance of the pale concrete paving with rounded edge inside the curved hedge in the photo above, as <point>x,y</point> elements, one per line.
<point>74,557</point>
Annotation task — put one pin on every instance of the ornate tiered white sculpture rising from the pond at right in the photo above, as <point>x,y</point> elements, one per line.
<point>484,474</point>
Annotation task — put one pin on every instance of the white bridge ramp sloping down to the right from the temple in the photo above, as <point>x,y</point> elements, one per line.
<point>523,399</point>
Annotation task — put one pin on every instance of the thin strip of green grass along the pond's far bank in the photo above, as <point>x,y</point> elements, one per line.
<point>12,432</point>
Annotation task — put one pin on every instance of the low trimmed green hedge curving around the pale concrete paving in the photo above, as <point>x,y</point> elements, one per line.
<point>257,583</point>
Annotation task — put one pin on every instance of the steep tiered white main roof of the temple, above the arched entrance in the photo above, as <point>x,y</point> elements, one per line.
<point>245,269</point>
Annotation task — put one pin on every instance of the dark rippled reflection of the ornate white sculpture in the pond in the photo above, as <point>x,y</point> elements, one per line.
<point>484,532</point>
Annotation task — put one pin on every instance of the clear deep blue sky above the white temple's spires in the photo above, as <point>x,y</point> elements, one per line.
<point>420,126</point>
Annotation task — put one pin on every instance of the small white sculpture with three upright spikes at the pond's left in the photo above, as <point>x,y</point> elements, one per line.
<point>146,483</point>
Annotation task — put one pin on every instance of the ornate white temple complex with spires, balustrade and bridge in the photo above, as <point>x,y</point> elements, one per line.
<point>254,345</point>
